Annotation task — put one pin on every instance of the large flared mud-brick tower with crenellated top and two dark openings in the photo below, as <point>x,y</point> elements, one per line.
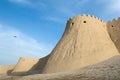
<point>85,41</point>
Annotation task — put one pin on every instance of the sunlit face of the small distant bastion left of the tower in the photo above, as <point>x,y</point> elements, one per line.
<point>25,65</point>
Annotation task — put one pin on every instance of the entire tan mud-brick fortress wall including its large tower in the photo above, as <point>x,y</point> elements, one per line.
<point>85,42</point>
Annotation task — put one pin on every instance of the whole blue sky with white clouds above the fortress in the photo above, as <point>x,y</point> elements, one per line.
<point>39,24</point>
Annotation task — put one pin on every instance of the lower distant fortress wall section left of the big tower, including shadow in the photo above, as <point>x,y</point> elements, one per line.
<point>25,66</point>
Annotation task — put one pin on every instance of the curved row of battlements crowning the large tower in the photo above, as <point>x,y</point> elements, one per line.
<point>84,16</point>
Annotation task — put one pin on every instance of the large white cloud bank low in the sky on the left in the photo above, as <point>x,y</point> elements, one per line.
<point>14,44</point>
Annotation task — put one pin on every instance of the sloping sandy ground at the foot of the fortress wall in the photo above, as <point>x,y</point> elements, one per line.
<point>107,70</point>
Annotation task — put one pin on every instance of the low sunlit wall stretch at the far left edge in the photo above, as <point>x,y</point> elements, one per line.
<point>6,69</point>
